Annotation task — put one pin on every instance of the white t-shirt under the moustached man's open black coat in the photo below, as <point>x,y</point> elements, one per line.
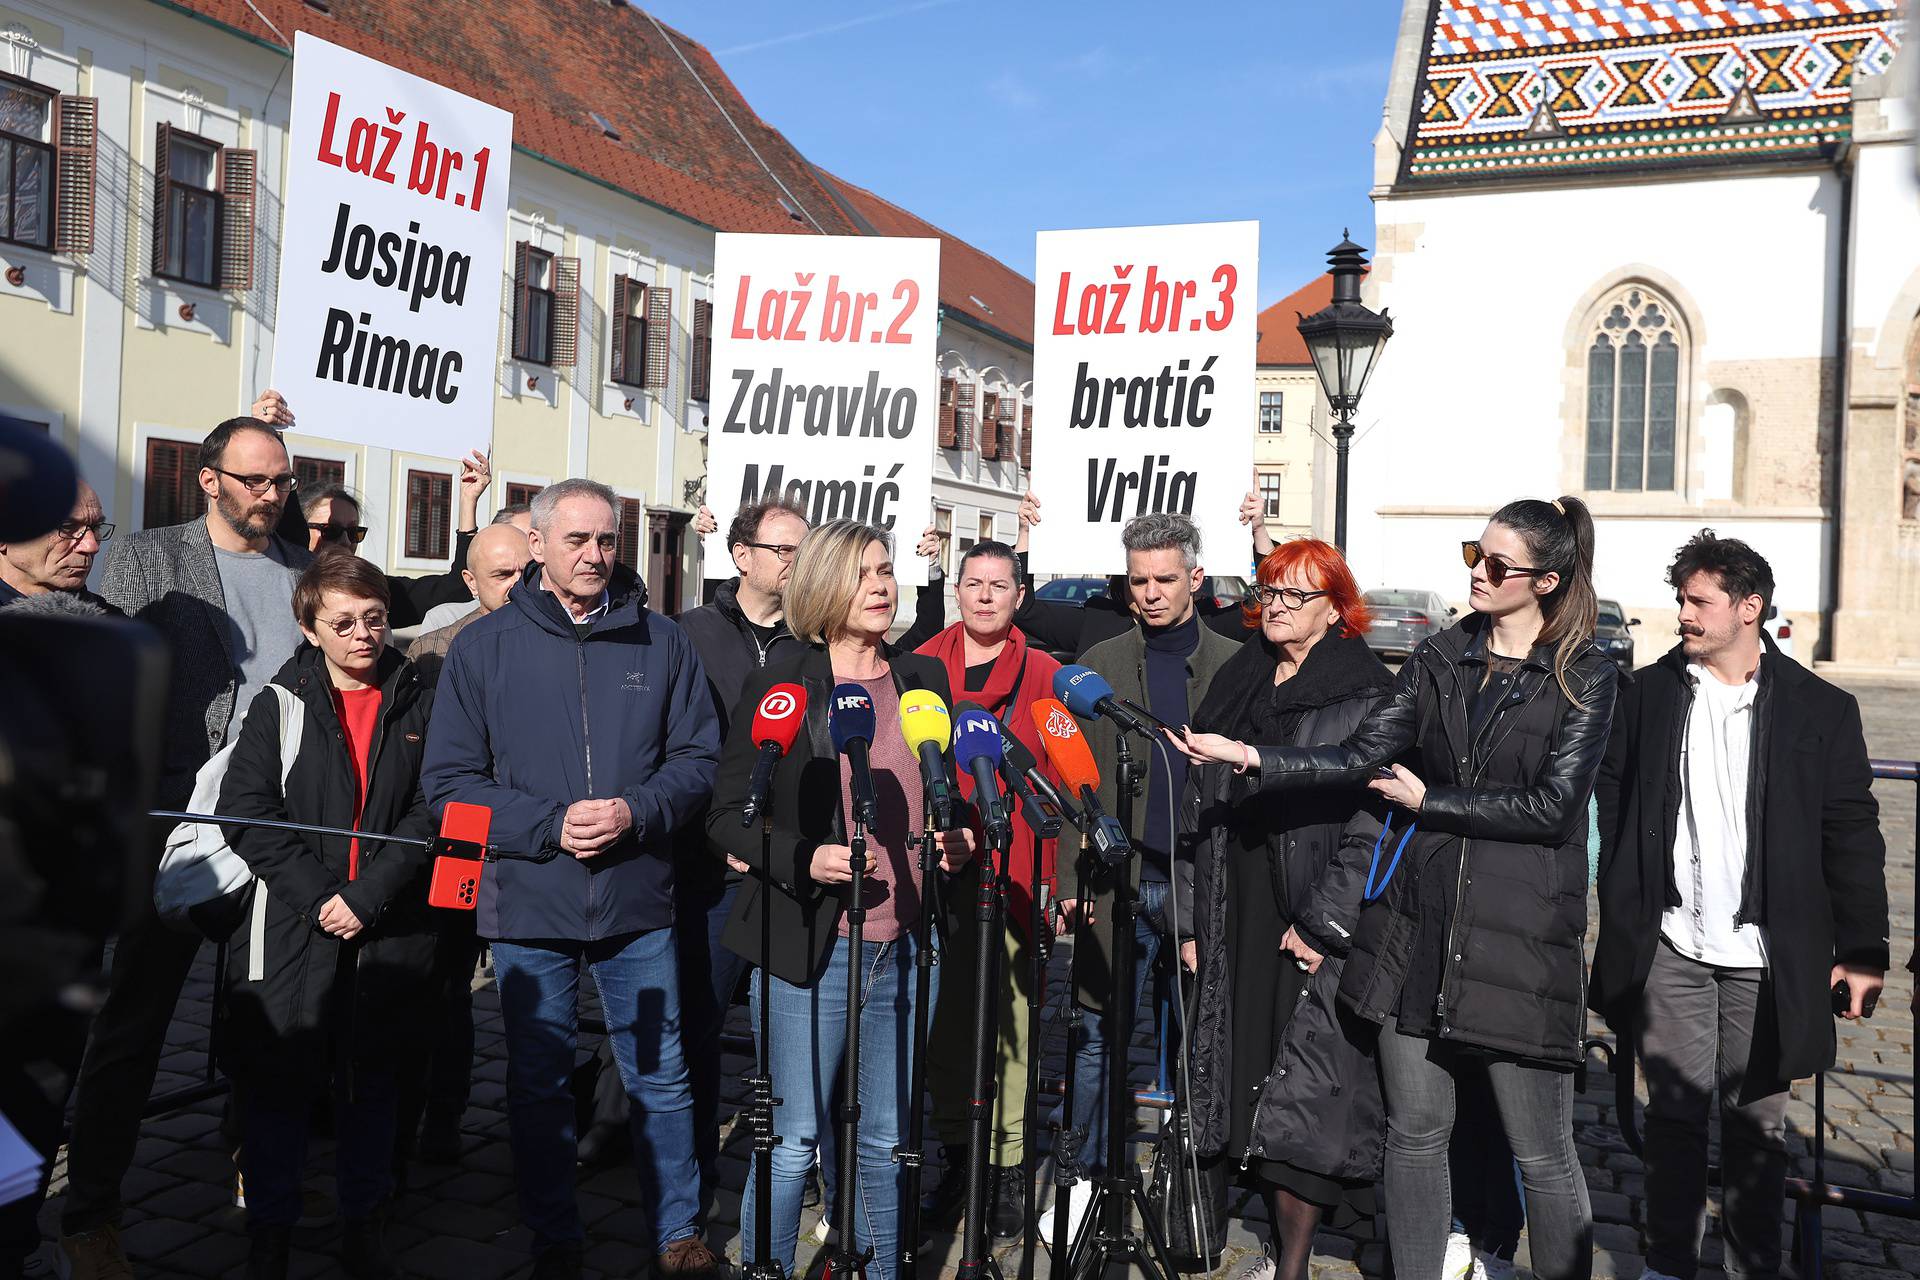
<point>1712,843</point>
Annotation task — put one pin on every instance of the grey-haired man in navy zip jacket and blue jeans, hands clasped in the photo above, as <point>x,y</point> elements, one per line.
<point>583,721</point>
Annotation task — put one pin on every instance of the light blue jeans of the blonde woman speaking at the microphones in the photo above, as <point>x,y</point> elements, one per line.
<point>809,1026</point>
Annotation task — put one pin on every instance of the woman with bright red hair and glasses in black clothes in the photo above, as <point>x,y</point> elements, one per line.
<point>1284,1085</point>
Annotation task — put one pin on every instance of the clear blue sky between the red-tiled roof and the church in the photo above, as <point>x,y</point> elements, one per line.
<point>996,118</point>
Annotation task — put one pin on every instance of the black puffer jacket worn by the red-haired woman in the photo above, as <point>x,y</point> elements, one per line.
<point>1320,1108</point>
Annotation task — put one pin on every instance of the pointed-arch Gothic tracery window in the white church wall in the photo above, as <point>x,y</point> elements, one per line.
<point>1633,394</point>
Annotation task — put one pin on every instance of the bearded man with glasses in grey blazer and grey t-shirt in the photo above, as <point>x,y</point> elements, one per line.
<point>220,590</point>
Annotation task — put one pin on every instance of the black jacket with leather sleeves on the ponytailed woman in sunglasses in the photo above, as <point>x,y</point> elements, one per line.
<point>1514,972</point>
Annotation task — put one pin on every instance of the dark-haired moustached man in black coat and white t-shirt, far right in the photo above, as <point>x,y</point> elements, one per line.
<point>1742,901</point>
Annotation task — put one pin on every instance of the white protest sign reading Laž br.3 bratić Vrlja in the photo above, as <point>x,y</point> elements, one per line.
<point>1143,387</point>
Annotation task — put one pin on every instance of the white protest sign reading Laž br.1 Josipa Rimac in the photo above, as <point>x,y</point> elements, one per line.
<point>391,260</point>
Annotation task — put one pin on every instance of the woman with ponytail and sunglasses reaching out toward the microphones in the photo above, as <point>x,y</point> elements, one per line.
<point>1477,959</point>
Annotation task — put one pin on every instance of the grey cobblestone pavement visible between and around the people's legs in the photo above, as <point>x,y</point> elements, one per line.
<point>460,1223</point>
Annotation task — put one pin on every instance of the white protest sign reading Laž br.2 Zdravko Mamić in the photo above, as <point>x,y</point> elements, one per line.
<point>825,385</point>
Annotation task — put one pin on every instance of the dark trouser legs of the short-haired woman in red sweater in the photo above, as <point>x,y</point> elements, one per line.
<point>276,1150</point>
